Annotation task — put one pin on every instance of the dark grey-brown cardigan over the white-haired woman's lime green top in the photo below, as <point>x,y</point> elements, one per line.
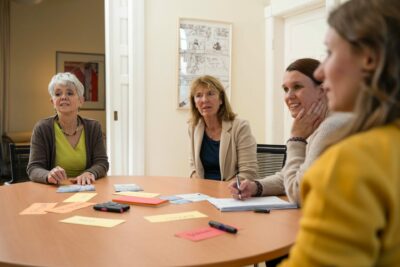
<point>43,149</point>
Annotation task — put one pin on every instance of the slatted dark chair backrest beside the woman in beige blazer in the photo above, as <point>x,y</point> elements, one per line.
<point>270,159</point>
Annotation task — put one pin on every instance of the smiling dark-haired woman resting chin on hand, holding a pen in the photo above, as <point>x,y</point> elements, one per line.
<point>306,100</point>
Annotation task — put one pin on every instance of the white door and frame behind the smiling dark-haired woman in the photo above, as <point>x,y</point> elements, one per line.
<point>288,24</point>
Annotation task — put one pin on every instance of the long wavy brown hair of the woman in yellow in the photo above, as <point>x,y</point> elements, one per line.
<point>374,25</point>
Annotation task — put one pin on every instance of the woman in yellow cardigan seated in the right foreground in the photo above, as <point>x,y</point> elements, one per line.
<point>351,195</point>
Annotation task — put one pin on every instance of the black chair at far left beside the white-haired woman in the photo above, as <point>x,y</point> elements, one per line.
<point>19,157</point>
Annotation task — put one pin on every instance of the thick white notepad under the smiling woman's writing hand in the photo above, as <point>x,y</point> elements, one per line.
<point>230,204</point>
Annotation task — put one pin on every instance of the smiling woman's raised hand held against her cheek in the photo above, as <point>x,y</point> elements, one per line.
<point>306,122</point>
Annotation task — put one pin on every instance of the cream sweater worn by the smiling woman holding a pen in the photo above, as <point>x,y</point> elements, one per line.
<point>300,157</point>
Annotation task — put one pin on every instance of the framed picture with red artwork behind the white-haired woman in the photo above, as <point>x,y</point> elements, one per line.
<point>90,70</point>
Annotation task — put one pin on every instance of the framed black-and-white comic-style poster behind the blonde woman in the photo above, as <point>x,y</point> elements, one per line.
<point>204,49</point>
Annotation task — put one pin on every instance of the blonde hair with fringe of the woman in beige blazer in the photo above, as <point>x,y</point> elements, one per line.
<point>225,111</point>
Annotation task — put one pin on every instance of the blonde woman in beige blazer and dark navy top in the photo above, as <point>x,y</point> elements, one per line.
<point>221,145</point>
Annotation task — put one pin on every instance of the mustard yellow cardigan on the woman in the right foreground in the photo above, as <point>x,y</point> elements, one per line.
<point>351,197</point>
